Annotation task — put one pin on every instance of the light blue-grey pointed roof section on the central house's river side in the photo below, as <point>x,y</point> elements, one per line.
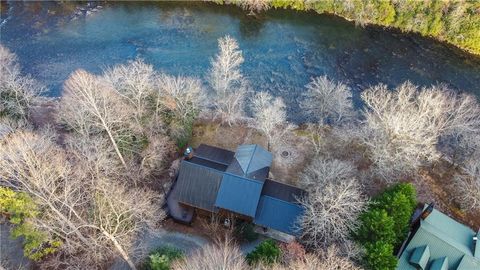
<point>250,161</point>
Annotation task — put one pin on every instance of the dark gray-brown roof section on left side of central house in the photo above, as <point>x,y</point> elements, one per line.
<point>198,185</point>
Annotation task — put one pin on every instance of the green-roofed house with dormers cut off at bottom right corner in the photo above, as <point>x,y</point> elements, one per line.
<point>438,242</point>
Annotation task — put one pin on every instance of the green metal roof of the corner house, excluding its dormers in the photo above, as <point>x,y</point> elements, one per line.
<point>445,237</point>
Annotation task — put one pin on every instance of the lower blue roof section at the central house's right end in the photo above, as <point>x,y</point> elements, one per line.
<point>278,214</point>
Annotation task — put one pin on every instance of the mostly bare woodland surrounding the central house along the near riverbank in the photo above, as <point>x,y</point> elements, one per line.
<point>83,176</point>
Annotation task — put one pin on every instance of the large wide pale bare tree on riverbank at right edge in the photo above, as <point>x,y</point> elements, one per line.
<point>403,127</point>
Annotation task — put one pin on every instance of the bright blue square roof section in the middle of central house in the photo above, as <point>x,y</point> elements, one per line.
<point>239,194</point>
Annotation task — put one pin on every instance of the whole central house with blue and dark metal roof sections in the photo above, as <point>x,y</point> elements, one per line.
<point>212,180</point>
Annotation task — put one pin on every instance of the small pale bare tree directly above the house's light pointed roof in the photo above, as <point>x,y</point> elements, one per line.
<point>270,117</point>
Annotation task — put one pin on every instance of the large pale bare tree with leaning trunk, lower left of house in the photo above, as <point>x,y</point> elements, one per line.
<point>94,217</point>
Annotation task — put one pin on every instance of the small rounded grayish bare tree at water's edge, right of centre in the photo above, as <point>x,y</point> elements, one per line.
<point>328,101</point>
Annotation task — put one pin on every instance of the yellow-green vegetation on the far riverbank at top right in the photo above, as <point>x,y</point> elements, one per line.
<point>452,21</point>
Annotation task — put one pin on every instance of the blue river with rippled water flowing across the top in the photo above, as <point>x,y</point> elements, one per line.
<point>282,49</point>
